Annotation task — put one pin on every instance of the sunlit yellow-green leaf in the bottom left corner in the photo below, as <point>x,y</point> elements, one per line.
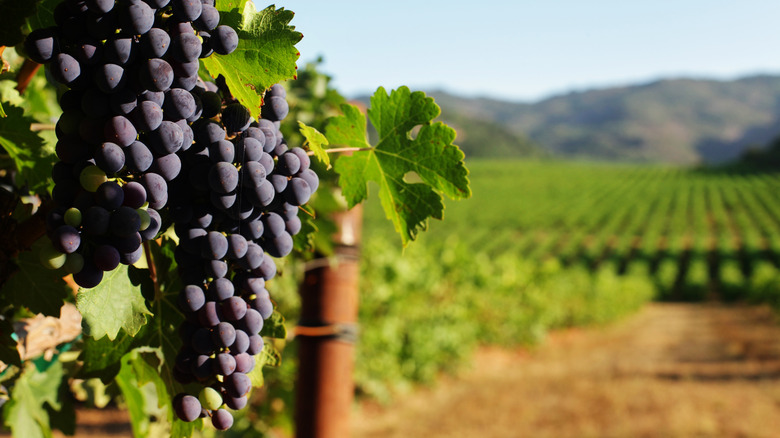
<point>25,412</point>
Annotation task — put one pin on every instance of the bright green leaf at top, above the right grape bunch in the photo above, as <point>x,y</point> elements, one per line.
<point>266,52</point>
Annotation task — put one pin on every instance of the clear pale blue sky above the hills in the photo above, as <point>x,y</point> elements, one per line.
<point>527,50</point>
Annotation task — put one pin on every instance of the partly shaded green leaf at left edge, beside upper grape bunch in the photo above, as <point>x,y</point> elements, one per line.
<point>32,157</point>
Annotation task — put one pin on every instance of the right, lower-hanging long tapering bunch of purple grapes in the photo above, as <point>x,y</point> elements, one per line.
<point>239,200</point>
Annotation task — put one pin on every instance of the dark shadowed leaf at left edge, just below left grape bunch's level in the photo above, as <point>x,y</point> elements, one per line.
<point>39,289</point>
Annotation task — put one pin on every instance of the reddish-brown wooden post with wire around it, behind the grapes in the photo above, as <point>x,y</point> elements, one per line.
<point>326,336</point>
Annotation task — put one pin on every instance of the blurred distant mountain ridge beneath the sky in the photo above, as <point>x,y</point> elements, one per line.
<point>681,121</point>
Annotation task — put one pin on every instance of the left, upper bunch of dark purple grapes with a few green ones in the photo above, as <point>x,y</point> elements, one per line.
<point>131,67</point>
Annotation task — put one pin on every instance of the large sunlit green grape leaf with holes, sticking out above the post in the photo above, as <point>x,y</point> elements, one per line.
<point>429,154</point>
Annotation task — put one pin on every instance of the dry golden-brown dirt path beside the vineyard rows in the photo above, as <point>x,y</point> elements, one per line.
<point>673,370</point>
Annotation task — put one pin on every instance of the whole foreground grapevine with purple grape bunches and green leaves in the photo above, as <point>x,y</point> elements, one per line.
<point>168,193</point>
